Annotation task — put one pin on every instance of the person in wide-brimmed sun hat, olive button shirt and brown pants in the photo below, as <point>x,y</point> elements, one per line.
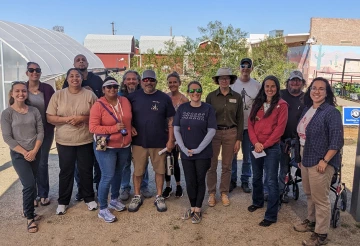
<point>229,117</point>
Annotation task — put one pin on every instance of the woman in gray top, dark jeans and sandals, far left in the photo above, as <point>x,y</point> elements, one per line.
<point>22,130</point>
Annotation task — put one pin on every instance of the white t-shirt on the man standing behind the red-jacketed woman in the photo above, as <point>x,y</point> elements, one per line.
<point>248,91</point>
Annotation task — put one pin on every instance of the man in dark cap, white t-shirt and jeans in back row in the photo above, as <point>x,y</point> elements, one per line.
<point>248,88</point>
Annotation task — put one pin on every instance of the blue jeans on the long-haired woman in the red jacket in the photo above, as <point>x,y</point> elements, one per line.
<point>269,164</point>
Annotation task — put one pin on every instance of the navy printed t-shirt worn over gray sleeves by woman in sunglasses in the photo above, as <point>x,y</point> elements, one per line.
<point>194,122</point>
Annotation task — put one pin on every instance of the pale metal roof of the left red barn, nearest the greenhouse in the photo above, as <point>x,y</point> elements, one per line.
<point>110,43</point>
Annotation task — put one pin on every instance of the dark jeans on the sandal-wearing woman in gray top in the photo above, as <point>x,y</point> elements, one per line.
<point>27,172</point>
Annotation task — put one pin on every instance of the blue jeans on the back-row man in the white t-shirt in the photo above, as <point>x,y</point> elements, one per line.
<point>246,165</point>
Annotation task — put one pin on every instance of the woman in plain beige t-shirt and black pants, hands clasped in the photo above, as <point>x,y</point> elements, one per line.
<point>69,111</point>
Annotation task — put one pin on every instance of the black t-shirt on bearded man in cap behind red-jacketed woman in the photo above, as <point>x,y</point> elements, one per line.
<point>296,106</point>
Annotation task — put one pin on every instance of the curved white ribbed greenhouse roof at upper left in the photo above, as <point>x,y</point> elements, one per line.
<point>53,51</point>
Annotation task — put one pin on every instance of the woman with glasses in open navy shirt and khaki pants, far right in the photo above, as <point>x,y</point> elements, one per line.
<point>321,138</point>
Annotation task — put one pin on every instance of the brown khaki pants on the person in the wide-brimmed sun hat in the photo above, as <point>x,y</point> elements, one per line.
<point>225,139</point>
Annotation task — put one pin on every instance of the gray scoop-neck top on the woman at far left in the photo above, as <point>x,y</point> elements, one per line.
<point>22,129</point>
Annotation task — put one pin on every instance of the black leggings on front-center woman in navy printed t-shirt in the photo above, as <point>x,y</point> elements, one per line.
<point>195,174</point>
